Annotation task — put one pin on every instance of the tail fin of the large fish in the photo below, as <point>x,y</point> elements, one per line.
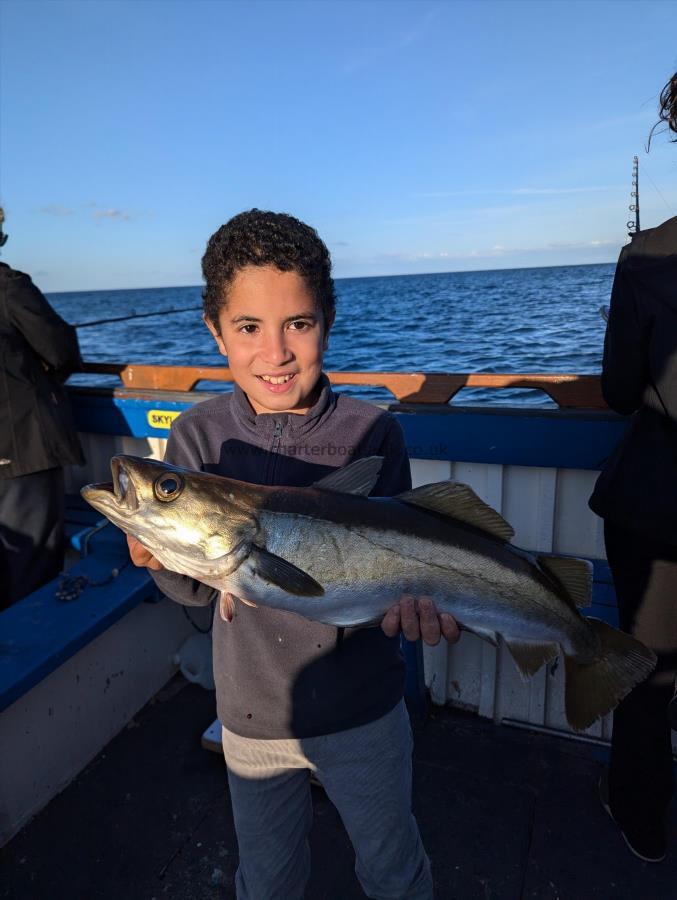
<point>594,689</point>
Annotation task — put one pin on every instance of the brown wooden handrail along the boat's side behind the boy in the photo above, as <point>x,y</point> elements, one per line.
<point>567,390</point>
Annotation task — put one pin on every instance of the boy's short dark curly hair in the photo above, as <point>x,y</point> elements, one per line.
<point>260,238</point>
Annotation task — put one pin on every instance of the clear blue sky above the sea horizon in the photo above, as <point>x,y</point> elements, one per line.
<point>416,137</point>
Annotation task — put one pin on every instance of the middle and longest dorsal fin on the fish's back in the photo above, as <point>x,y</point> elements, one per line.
<point>458,501</point>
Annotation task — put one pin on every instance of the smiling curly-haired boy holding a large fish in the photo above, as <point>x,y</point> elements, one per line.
<point>294,695</point>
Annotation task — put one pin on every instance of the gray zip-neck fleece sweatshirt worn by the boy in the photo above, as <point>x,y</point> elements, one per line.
<point>278,675</point>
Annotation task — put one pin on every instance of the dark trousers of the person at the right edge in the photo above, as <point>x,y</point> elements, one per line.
<point>640,771</point>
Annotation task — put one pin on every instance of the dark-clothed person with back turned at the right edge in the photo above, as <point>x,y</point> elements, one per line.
<point>636,494</point>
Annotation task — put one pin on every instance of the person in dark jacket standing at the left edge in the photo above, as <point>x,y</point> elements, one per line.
<point>38,351</point>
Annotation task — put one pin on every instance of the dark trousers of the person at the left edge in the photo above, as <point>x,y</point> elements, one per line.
<point>31,532</point>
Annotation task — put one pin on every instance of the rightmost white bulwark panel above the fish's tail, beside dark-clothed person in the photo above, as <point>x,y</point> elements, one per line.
<point>577,529</point>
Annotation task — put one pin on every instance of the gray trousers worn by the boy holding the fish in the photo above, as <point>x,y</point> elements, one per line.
<point>366,773</point>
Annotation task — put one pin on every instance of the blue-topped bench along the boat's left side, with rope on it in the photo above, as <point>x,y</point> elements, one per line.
<point>41,632</point>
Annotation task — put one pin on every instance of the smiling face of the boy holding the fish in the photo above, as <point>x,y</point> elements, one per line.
<point>273,334</point>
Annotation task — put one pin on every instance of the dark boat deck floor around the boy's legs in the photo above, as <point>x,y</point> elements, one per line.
<point>504,814</point>
